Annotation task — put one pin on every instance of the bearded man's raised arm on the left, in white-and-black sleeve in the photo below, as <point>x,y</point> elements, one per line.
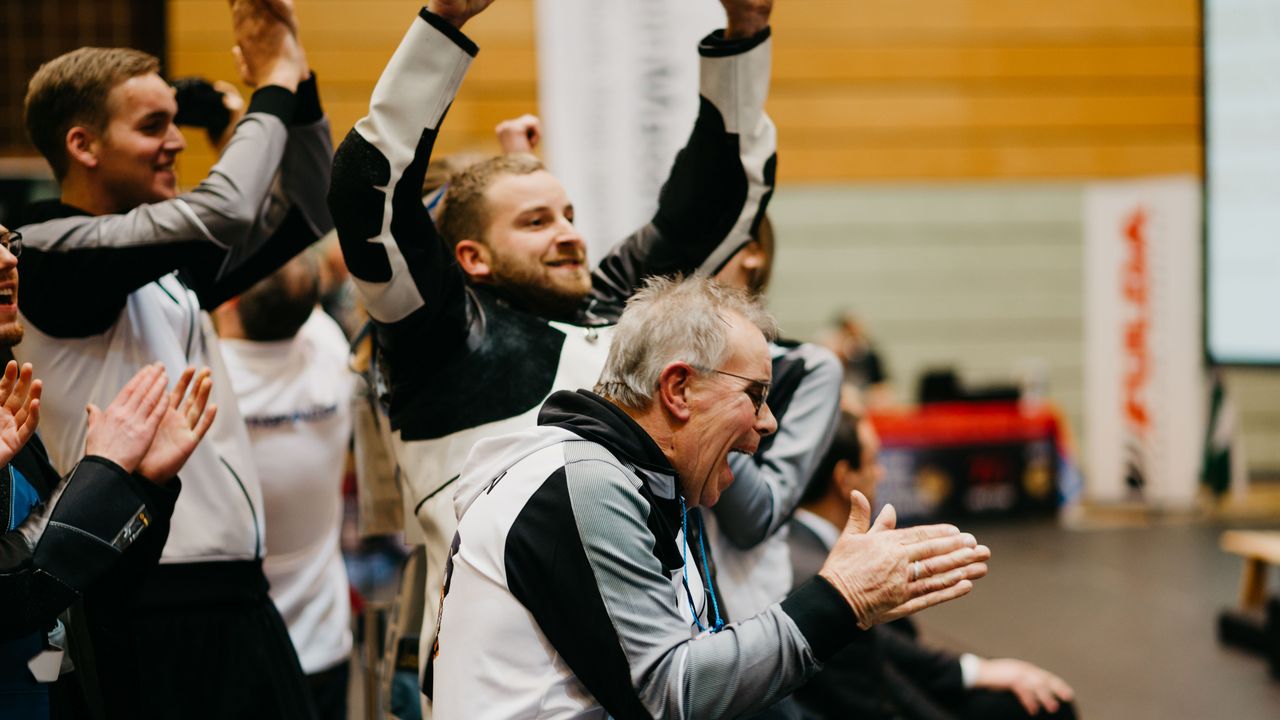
<point>403,270</point>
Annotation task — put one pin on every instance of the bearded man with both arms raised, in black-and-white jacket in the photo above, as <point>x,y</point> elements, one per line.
<point>482,318</point>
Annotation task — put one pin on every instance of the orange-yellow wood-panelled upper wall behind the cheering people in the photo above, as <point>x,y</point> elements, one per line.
<point>863,90</point>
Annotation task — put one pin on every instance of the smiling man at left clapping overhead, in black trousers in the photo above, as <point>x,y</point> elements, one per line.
<point>120,272</point>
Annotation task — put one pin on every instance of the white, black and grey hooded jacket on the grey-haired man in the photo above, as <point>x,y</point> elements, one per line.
<point>566,589</point>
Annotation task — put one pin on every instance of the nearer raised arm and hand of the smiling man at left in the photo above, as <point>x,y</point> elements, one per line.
<point>107,258</point>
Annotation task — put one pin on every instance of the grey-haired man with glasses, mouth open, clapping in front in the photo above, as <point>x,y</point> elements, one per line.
<point>579,582</point>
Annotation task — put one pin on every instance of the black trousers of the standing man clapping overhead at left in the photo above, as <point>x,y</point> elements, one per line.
<point>199,641</point>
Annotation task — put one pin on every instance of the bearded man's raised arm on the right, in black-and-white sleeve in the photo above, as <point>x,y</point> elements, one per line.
<point>721,183</point>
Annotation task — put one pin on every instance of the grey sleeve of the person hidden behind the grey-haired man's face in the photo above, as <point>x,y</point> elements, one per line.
<point>767,487</point>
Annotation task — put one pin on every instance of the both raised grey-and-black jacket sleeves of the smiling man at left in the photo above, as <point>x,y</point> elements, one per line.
<point>260,204</point>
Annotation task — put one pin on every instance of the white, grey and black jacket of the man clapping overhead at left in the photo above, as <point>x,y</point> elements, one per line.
<point>103,297</point>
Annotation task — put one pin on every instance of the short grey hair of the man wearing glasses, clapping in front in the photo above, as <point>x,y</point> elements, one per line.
<point>674,320</point>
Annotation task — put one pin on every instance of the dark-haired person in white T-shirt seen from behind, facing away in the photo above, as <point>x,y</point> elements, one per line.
<point>287,362</point>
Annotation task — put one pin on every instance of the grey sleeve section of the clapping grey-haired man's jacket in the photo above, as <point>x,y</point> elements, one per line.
<point>747,667</point>
